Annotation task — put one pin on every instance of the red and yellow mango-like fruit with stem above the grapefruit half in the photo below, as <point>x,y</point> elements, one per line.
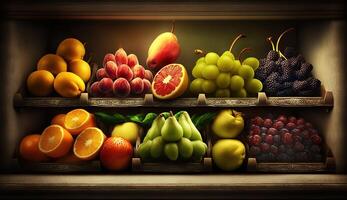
<point>164,50</point>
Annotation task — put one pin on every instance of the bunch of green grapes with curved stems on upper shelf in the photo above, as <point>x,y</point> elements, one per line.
<point>223,76</point>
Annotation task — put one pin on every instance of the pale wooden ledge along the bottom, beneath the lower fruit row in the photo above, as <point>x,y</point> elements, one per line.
<point>122,186</point>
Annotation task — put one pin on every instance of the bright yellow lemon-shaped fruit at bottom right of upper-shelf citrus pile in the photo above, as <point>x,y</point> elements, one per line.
<point>68,84</point>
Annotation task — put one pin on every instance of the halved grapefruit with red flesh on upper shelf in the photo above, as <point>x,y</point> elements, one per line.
<point>170,82</point>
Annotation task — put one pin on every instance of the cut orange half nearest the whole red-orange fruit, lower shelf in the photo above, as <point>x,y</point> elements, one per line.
<point>88,143</point>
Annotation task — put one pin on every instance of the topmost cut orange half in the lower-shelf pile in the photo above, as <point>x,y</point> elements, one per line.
<point>77,120</point>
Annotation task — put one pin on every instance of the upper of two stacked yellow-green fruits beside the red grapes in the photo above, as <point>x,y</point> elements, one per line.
<point>228,124</point>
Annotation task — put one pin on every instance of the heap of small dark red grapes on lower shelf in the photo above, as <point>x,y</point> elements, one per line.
<point>284,139</point>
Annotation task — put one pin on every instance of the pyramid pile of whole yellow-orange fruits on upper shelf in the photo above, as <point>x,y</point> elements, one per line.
<point>64,72</point>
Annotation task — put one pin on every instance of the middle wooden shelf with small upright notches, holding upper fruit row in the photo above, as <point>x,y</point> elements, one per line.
<point>326,100</point>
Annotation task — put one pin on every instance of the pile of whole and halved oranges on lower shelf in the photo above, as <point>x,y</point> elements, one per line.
<point>72,138</point>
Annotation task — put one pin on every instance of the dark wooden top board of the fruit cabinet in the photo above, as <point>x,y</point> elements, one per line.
<point>167,10</point>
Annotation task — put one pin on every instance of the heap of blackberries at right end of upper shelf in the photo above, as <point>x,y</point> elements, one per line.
<point>287,77</point>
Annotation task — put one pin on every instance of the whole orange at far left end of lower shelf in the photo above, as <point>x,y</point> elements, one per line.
<point>29,149</point>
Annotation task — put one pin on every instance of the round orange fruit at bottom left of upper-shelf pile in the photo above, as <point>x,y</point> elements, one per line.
<point>40,83</point>
